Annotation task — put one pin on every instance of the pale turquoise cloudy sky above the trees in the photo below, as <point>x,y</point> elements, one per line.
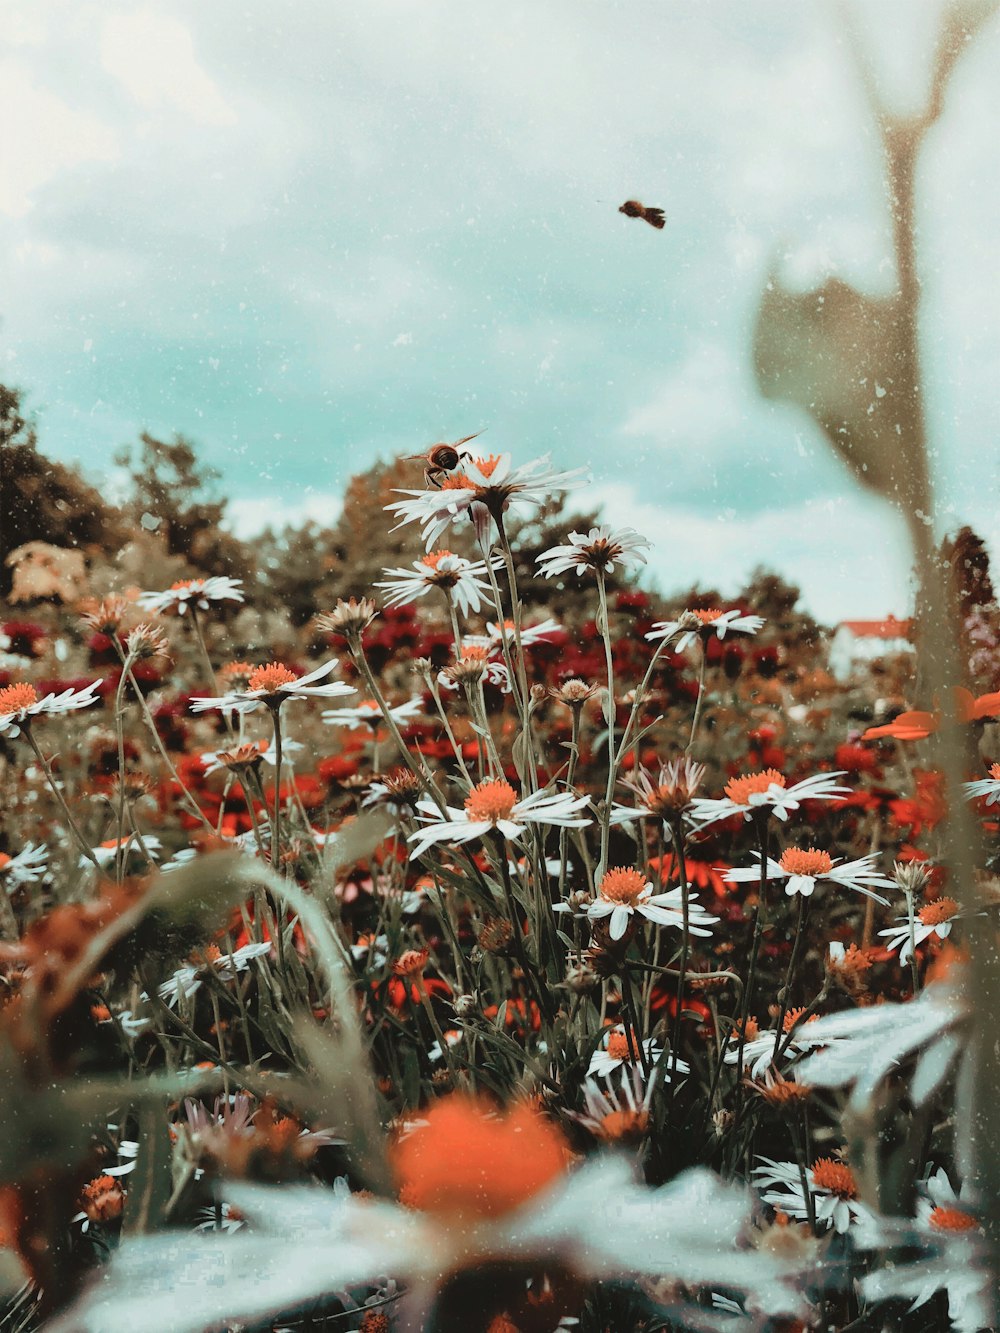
<point>311,237</point>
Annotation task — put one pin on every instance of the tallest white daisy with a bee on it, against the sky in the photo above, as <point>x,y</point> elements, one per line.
<point>478,489</point>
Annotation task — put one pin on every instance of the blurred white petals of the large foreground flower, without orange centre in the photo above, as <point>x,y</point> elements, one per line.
<point>306,1243</point>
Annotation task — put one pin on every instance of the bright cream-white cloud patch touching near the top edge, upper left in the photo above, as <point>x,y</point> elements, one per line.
<point>154,59</point>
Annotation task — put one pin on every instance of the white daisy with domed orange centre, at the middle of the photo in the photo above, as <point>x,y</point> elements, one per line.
<point>495,806</point>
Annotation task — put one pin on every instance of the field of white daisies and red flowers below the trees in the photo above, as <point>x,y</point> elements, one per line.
<point>465,959</point>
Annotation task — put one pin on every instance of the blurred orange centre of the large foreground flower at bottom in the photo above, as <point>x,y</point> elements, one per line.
<point>469,1163</point>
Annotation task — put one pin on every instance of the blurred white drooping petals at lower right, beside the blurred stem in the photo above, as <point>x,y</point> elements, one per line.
<point>865,1047</point>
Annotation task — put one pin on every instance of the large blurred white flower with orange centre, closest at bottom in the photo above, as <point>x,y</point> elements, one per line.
<point>483,1190</point>
